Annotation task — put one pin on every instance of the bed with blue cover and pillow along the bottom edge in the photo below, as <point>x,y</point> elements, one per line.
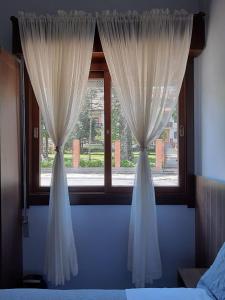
<point>210,286</point>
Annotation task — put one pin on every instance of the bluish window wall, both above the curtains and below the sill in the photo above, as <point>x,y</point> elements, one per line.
<point>102,231</point>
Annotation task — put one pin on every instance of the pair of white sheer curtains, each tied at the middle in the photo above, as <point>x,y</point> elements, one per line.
<point>146,55</point>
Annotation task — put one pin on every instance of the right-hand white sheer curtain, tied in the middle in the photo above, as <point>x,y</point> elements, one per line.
<point>146,55</point>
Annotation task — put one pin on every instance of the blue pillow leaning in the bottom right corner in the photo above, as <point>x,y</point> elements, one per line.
<point>214,279</point>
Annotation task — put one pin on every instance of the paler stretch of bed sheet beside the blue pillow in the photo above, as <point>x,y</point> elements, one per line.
<point>167,294</point>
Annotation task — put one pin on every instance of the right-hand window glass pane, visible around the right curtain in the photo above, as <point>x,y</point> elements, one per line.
<point>163,152</point>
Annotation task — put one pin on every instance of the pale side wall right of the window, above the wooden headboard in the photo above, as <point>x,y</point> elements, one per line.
<point>210,95</point>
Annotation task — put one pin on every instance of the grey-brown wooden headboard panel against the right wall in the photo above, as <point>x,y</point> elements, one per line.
<point>210,220</point>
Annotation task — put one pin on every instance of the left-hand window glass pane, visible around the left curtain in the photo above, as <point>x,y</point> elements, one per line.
<point>84,150</point>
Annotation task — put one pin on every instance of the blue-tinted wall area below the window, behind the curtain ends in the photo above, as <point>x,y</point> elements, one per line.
<point>101,234</point>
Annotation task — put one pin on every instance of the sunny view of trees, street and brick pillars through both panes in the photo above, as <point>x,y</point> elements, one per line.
<point>84,151</point>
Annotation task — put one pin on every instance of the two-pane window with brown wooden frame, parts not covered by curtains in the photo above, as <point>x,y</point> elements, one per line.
<point>101,152</point>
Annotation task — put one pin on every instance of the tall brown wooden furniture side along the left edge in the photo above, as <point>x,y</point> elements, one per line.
<point>10,199</point>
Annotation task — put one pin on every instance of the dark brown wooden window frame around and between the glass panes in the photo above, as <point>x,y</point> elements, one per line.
<point>184,194</point>
